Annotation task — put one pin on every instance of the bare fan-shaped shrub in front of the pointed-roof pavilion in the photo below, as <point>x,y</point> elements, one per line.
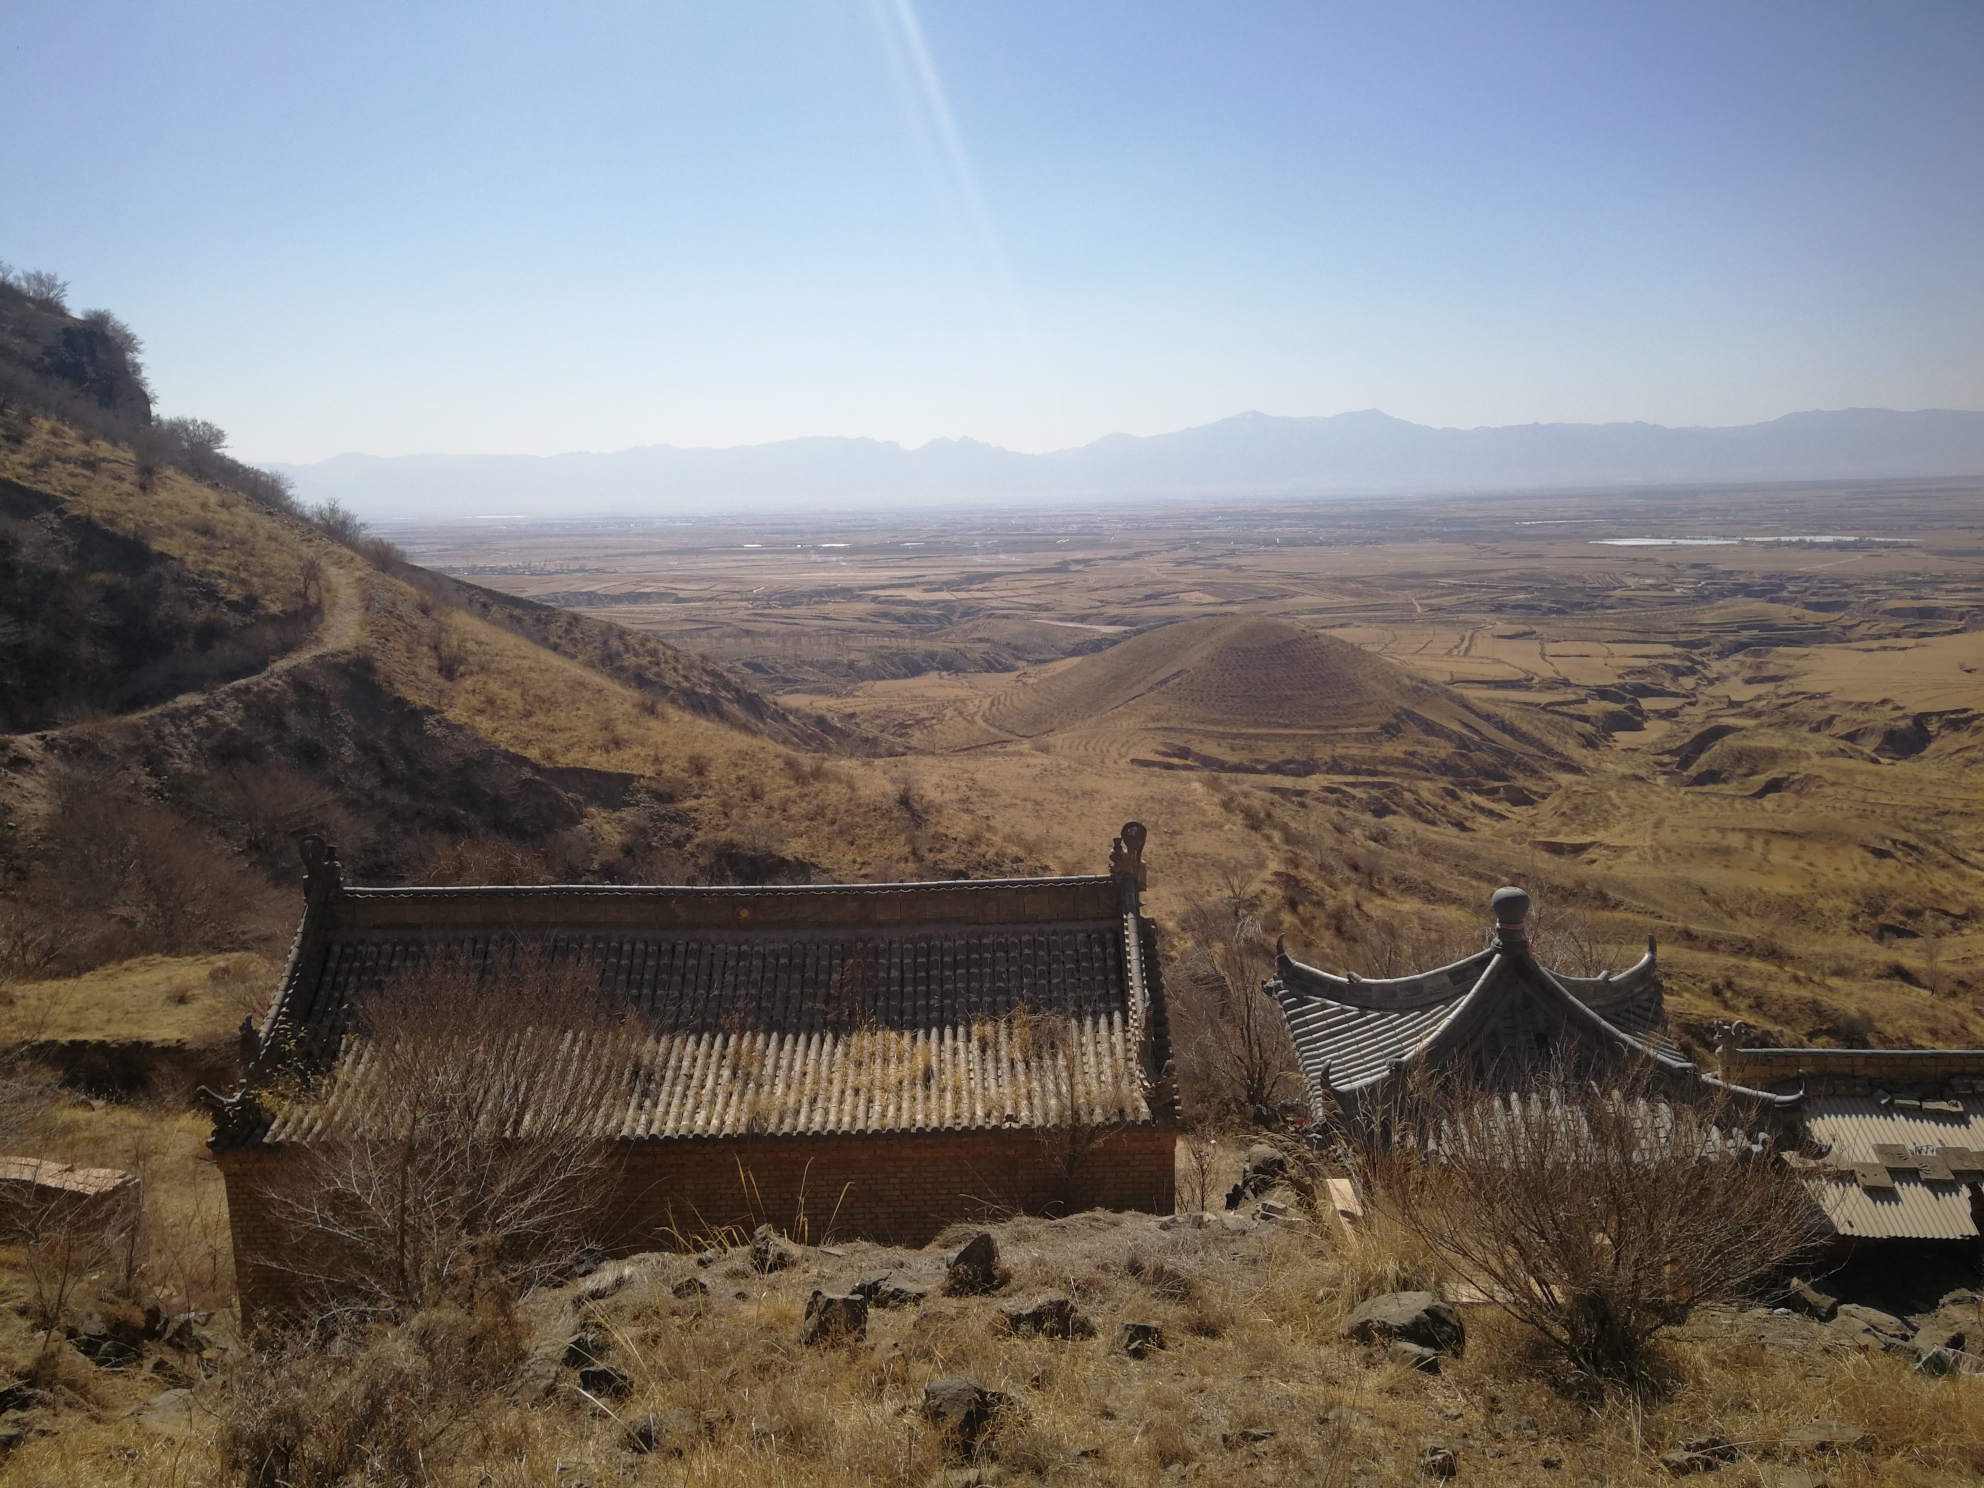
<point>1594,1211</point>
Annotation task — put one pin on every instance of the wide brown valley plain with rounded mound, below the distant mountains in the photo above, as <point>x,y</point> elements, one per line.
<point>1747,721</point>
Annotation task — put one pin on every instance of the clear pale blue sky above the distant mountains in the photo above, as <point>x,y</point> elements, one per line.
<point>529,229</point>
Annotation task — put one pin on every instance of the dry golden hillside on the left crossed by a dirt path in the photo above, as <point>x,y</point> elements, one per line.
<point>443,721</point>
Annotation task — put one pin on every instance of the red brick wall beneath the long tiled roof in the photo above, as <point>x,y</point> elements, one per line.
<point>820,1189</point>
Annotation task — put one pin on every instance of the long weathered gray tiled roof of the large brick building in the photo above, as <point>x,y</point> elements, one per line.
<point>787,1011</point>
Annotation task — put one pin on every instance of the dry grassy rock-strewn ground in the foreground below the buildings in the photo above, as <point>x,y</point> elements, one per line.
<point>1255,1388</point>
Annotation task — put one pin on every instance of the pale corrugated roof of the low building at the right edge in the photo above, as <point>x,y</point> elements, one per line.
<point>1914,1209</point>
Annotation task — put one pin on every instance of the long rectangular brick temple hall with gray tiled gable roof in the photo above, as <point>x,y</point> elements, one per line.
<point>884,1058</point>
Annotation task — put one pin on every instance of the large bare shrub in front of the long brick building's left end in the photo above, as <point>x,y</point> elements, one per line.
<point>455,1154</point>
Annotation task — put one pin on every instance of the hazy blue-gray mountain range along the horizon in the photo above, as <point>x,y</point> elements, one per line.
<point>1247,455</point>
